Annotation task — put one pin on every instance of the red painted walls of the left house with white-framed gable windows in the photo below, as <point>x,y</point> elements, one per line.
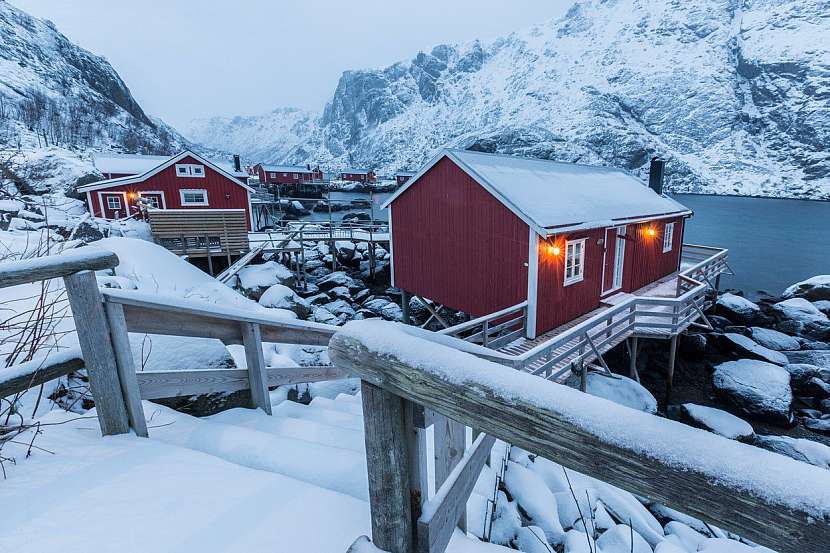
<point>223,193</point>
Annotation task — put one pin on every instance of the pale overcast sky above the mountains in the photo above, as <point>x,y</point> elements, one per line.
<point>184,59</point>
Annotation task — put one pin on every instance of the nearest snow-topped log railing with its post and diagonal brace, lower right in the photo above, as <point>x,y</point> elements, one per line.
<point>762,496</point>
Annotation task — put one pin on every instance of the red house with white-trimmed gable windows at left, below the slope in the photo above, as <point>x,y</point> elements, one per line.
<point>183,182</point>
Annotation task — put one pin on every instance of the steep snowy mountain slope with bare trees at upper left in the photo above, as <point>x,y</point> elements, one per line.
<point>58,102</point>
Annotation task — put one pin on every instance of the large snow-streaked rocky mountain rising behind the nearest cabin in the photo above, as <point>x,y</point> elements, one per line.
<point>735,94</point>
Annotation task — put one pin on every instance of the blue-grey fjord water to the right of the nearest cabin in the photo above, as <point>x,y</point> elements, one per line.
<point>772,242</point>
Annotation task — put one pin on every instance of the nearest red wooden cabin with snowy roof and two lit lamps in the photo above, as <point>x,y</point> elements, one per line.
<point>481,232</point>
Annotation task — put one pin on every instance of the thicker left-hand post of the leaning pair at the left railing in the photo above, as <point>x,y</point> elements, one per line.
<point>99,357</point>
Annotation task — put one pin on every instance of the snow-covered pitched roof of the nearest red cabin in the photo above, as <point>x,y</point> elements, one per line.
<point>555,197</point>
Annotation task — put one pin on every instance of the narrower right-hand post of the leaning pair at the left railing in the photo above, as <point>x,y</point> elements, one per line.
<point>126,367</point>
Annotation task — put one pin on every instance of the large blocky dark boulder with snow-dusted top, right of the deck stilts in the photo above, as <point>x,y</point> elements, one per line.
<point>757,388</point>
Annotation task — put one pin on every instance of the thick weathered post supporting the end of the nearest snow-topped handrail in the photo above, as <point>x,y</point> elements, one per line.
<point>388,467</point>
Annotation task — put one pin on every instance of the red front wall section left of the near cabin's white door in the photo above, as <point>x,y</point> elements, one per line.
<point>556,303</point>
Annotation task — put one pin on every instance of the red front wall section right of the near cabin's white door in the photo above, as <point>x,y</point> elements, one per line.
<point>645,261</point>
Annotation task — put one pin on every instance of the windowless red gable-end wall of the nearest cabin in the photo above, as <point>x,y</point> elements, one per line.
<point>456,244</point>
